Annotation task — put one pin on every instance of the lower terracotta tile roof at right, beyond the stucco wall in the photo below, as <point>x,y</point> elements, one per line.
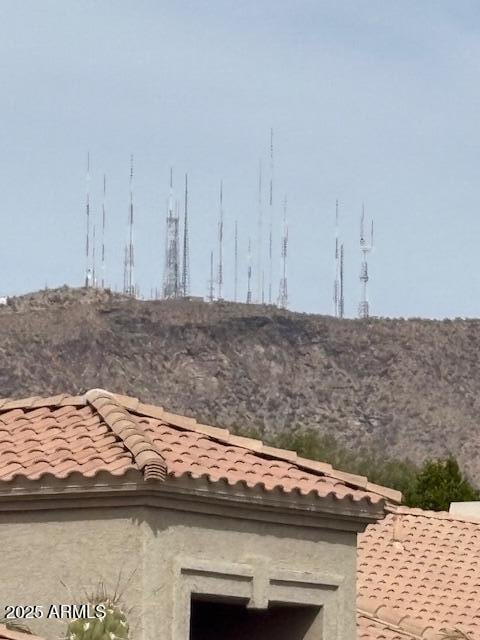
<point>419,574</point>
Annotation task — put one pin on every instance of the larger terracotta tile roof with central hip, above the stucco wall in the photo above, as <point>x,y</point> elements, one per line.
<point>105,432</point>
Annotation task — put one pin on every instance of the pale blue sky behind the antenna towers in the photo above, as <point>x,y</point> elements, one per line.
<point>375,101</point>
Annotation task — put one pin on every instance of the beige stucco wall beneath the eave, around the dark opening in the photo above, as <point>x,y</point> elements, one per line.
<point>42,550</point>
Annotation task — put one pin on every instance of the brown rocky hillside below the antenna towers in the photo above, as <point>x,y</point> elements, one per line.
<point>404,387</point>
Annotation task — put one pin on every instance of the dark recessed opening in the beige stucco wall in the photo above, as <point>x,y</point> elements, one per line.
<point>214,620</point>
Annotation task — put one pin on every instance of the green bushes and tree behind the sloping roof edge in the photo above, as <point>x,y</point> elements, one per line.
<point>433,486</point>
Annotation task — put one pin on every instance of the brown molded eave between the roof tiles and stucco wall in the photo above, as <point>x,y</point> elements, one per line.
<point>189,495</point>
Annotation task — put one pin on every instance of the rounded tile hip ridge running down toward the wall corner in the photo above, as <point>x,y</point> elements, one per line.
<point>119,419</point>
